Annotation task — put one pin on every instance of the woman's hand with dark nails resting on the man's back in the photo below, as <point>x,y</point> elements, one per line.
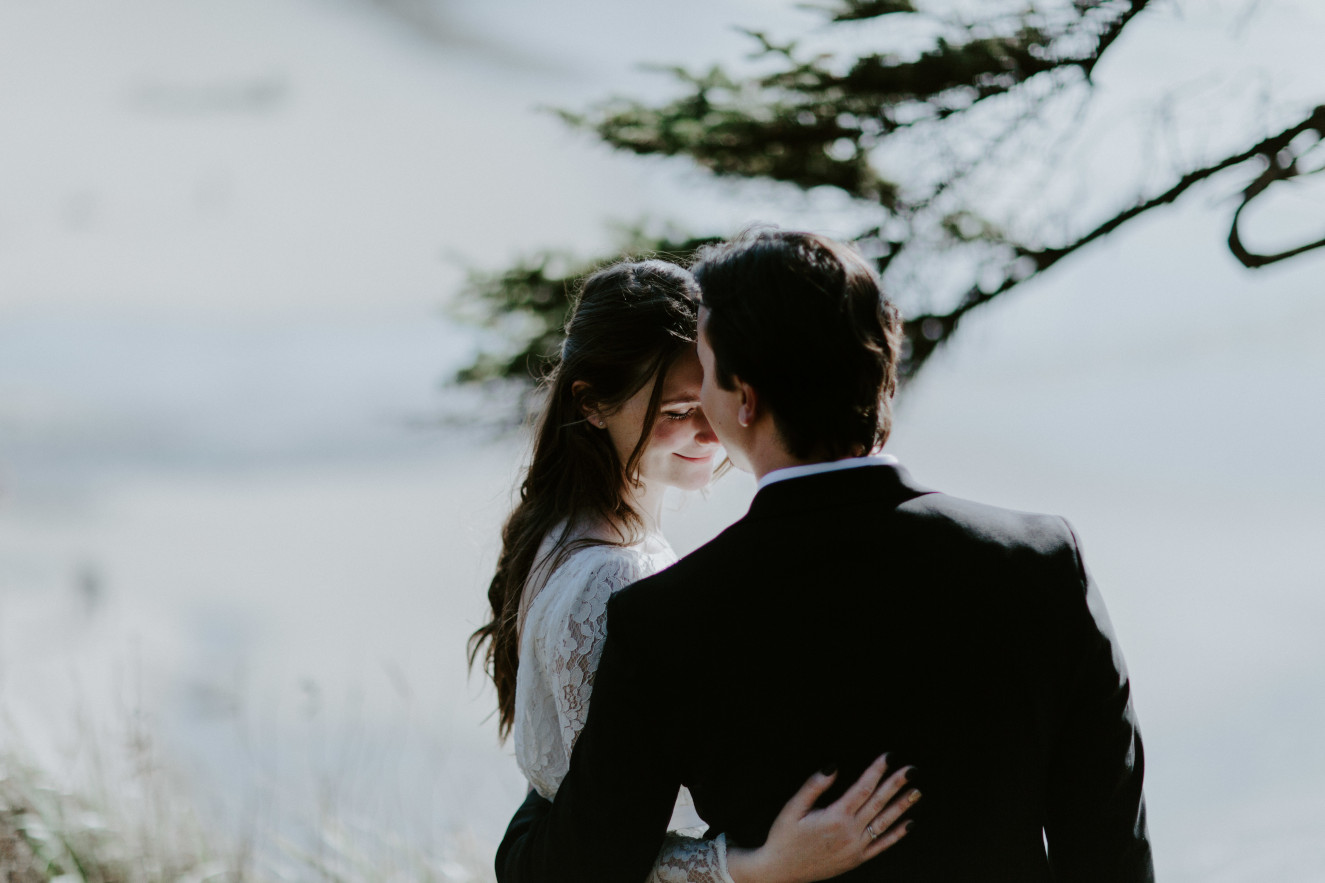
<point>806,844</point>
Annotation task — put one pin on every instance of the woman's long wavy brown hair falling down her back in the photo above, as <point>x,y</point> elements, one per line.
<point>629,325</point>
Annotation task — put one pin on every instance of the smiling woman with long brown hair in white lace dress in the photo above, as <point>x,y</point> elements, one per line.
<point>621,425</point>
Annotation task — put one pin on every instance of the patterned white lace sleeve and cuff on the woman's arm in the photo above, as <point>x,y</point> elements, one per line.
<point>572,650</point>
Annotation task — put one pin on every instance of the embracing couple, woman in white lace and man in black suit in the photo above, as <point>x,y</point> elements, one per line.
<point>853,644</point>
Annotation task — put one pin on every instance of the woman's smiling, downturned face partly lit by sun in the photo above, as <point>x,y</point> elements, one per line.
<point>682,447</point>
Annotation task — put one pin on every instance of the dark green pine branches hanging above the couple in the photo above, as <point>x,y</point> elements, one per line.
<point>936,145</point>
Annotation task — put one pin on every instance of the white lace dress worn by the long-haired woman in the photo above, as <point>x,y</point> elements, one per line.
<point>561,645</point>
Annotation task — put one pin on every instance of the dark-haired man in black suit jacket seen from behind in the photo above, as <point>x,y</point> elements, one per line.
<point>849,613</point>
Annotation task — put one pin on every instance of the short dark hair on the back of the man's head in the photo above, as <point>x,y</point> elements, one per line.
<point>805,322</point>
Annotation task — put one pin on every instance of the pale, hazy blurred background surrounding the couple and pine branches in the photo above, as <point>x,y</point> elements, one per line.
<point>247,520</point>
